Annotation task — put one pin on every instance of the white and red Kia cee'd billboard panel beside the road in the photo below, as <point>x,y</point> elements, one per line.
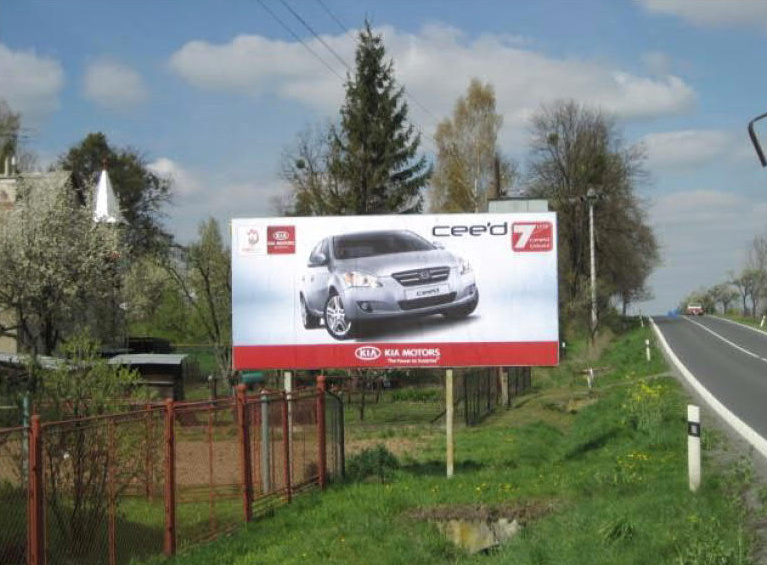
<point>451,290</point>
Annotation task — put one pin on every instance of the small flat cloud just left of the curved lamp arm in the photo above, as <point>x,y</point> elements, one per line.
<point>688,148</point>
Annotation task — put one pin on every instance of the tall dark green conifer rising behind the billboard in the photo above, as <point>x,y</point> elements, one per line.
<point>374,150</point>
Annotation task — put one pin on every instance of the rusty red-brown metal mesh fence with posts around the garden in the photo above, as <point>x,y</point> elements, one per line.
<point>160,478</point>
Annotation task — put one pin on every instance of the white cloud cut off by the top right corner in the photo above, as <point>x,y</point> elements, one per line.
<point>712,12</point>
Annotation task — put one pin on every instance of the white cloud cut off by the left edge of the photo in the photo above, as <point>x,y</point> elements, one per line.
<point>30,83</point>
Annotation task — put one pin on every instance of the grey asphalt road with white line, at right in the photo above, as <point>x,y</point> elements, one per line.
<point>728,359</point>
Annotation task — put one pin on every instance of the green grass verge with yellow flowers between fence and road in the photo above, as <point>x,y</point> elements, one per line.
<point>609,464</point>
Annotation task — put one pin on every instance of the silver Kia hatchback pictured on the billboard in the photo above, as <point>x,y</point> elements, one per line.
<point>356,278</point>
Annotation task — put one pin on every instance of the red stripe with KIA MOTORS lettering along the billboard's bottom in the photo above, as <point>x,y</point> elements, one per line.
<point>394,355</point>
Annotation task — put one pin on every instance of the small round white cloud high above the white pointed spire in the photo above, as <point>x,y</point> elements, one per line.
<point>114,85</point>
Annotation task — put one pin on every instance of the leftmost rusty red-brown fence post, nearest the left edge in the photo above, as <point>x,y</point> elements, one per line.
<point>36,496</point>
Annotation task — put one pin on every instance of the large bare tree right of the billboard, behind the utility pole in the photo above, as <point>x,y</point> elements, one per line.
<point>575,148</point>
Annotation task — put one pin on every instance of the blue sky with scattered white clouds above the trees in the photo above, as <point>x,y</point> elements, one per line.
<point>213,93</point>
